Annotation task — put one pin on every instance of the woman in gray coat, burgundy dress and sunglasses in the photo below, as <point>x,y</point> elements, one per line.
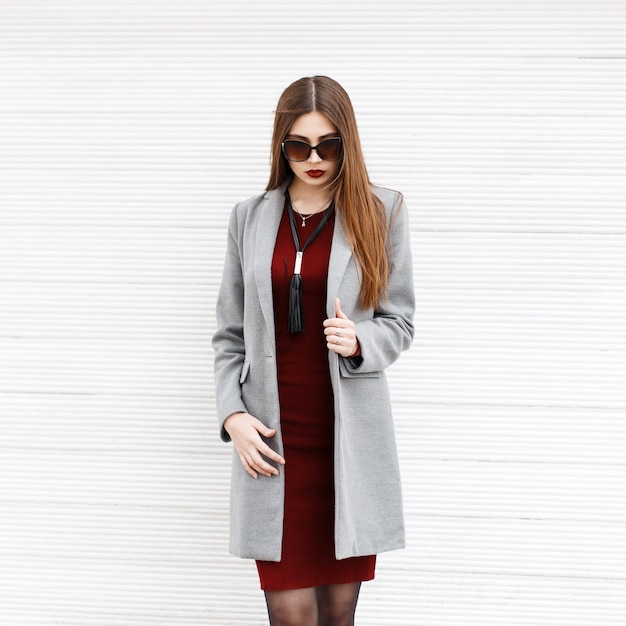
<point>316,301</point>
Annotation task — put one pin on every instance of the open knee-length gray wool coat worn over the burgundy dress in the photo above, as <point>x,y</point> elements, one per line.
<point>368,499</point>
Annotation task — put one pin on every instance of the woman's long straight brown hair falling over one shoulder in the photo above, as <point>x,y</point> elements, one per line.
<point>362,213</point>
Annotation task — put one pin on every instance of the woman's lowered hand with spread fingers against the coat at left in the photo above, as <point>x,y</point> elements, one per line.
<point>245,432</point>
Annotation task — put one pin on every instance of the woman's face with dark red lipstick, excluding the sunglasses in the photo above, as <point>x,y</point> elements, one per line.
<point>315,172</point>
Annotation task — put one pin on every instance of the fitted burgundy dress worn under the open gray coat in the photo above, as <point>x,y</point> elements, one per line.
<point>307,423</point>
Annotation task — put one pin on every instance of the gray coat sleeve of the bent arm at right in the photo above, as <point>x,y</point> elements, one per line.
<point>389,329</point>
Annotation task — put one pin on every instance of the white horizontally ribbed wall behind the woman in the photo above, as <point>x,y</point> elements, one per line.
<point>127,131</point>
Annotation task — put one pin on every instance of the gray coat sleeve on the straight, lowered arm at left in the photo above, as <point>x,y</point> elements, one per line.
<point>228,341</point>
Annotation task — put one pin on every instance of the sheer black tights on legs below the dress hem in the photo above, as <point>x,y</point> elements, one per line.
<point>330,605</point>
